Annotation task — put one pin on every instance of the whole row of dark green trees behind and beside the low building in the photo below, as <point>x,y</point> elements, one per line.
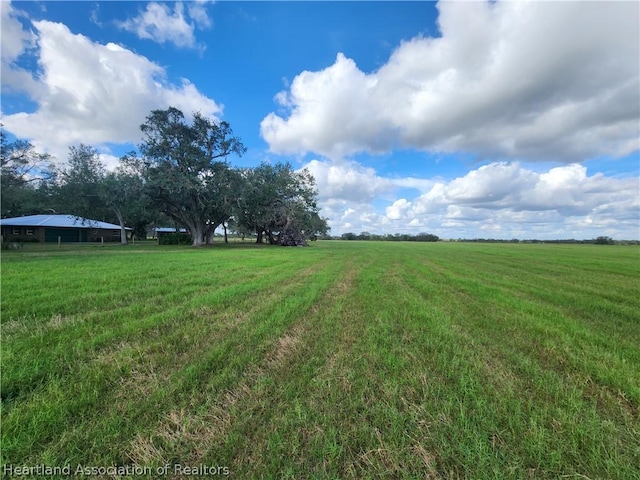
<point>179,177</point>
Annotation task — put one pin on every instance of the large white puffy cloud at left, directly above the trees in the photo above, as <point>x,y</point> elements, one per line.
<point>93,93</point>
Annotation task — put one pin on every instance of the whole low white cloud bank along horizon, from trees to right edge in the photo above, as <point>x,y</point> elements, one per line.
<point>497,200</point>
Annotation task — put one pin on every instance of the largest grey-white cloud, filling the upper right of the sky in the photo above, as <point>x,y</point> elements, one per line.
<point>518,80</point>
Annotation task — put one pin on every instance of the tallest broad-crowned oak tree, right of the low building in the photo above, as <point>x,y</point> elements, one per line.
<point>185,169</point>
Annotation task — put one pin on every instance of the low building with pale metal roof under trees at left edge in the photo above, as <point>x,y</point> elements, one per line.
<point>54,228</point>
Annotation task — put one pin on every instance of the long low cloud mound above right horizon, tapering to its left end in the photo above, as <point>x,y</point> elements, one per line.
<point>504,197</point>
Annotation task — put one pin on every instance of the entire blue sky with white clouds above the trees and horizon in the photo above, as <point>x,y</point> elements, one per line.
<point>462,119</point>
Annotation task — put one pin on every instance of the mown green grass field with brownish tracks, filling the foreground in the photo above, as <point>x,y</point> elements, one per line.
<point>343,360</point>
